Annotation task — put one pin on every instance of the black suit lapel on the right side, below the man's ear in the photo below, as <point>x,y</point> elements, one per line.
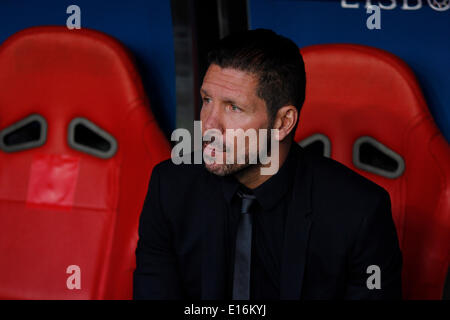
<point>298,225</point>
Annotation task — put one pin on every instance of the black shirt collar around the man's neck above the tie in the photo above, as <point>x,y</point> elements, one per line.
<point>271,191</point>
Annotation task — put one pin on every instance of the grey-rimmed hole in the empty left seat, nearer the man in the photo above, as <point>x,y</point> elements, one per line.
<point>87,137</point>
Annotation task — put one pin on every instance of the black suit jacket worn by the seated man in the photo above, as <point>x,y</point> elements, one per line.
<point>338,224</point>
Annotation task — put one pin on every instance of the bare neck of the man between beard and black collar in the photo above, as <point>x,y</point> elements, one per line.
<point>251,177</point>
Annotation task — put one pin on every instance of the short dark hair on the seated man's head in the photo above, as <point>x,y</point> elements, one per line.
<point>274,59</point>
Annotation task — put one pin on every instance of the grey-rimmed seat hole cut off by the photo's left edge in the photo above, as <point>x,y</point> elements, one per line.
<point>25,134</point>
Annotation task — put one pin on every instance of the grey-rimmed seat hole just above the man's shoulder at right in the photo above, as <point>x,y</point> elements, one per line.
<point>373,156</point>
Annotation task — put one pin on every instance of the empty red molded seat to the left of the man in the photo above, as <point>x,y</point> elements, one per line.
<point>78,142</point>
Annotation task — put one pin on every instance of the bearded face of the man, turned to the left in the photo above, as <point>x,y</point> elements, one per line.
<point>230,102</point>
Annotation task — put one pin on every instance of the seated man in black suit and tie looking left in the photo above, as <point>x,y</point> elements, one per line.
<point>313,230</point>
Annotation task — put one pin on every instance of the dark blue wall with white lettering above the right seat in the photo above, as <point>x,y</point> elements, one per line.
<point>421,38</point>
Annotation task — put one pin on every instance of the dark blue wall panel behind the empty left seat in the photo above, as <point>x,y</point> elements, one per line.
<point>144,26</point>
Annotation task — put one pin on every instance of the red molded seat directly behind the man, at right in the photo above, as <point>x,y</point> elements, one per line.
<point>365,108</point>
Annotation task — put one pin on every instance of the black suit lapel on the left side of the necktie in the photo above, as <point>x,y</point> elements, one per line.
<point>213,242</point>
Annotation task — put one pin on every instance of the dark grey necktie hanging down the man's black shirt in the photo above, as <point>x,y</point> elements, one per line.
<point>243,252</point>
